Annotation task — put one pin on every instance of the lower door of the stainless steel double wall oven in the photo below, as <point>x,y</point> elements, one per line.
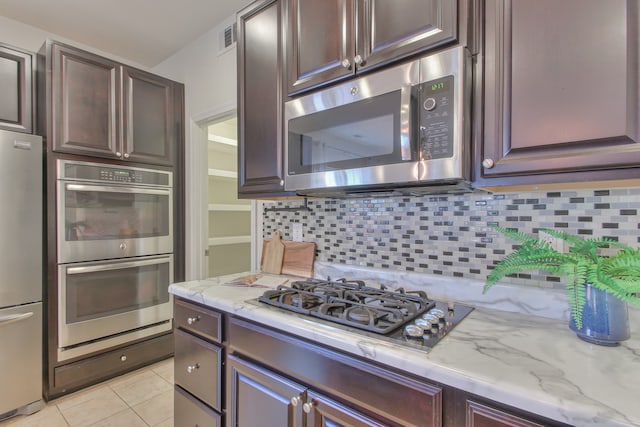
<point>99,300</point>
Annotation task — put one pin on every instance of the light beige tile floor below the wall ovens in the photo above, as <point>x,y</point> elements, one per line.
<point>142,398</point>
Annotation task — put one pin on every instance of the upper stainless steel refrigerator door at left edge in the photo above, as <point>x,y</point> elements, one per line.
<point>21,195</point>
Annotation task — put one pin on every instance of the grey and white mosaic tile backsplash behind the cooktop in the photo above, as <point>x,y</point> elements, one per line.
<point>451,235</point>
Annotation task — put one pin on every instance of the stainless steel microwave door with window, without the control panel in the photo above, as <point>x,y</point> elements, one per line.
<point>357,133</point>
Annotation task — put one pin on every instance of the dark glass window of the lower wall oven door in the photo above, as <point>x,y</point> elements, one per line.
<point>102,293</point>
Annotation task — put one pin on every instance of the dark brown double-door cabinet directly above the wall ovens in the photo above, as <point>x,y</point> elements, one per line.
<point>102,108</point>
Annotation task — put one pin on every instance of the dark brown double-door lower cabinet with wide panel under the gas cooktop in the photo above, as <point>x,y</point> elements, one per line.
<point>303,384</point>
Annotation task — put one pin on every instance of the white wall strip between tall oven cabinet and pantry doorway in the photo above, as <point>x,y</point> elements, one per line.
<point>210,90</point>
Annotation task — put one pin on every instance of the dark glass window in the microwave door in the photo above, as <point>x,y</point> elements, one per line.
<point>357,135</point>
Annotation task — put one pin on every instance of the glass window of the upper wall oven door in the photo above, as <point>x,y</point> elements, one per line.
<point>108,213</point>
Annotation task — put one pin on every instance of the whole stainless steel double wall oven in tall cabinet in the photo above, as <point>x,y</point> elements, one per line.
<point>115,260</point>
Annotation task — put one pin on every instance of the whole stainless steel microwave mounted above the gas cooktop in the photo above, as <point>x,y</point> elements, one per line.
<point>400,130</point>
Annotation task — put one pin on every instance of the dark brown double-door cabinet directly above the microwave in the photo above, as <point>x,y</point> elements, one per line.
<point>331,40</point>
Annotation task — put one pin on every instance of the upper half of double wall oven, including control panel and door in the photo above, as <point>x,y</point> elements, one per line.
<point>109,211</point>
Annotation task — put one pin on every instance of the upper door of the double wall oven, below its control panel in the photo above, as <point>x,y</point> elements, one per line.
<point>98,222</point>
